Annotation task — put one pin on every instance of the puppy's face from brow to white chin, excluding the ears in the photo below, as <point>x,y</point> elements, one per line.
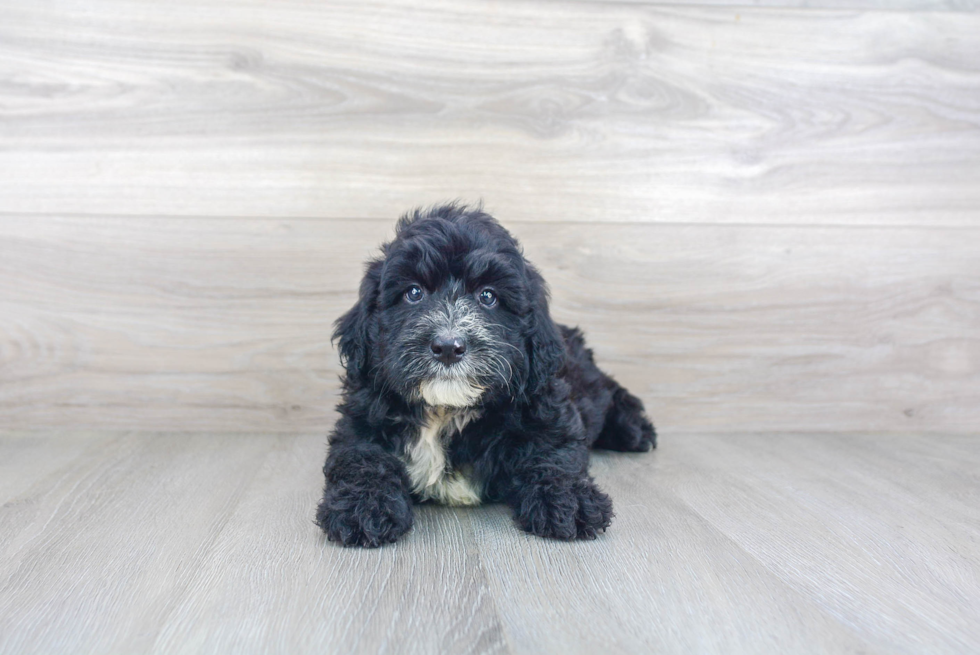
<point>450,312</point>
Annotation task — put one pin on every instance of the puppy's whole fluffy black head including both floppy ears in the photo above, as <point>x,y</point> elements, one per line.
<point>451,315</point>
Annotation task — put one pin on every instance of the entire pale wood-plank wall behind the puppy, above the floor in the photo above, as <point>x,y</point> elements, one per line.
<point>766,218</point>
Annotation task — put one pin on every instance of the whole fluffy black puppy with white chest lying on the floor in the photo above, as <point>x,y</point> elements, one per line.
<point>460,389</point>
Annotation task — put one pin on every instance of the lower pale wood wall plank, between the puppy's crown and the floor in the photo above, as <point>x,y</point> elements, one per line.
<point>223,324</point>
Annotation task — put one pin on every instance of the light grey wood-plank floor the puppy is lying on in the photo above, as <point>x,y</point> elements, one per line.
<point>139,542</point>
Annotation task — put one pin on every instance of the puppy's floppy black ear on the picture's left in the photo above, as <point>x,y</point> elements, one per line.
<point>356,330</point>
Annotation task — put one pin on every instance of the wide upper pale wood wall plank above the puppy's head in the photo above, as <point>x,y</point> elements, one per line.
<point>588,111</point>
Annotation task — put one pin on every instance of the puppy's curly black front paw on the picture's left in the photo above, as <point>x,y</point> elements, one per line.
<point>360,516</point>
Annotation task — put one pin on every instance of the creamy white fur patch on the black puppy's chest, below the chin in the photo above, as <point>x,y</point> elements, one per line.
<point>425,459</point>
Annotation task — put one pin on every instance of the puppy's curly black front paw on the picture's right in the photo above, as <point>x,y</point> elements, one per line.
<point>564,510</point>
